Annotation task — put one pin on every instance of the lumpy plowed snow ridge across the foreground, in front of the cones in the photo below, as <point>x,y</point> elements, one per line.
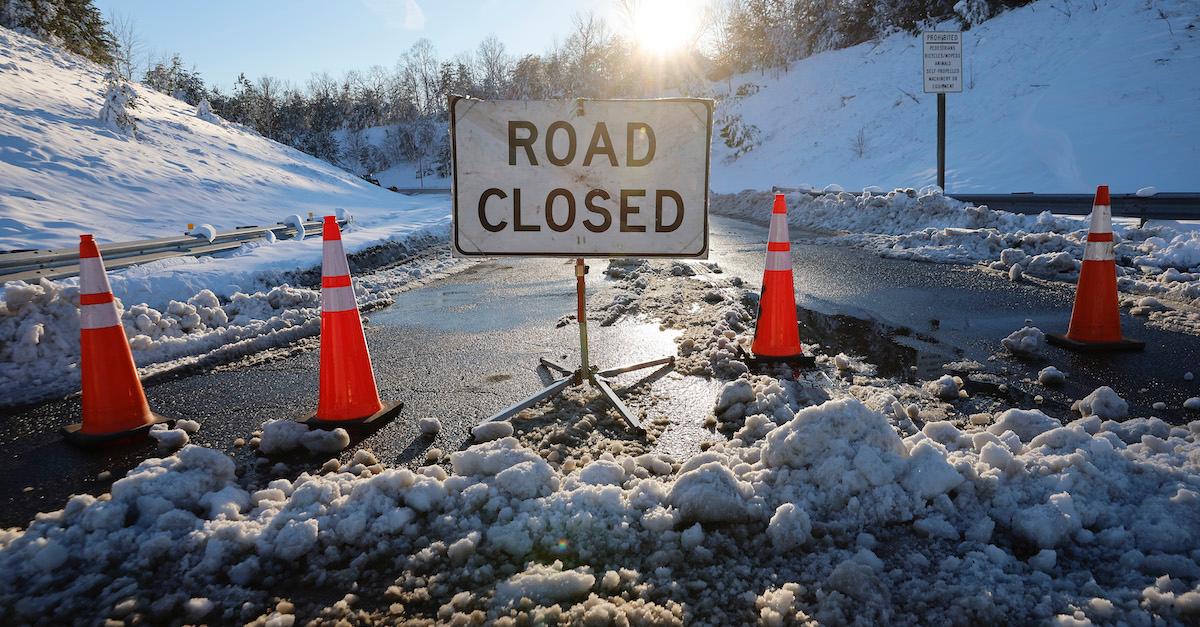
<point>837,476</point>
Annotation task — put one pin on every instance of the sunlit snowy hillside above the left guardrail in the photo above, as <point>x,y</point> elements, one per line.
<point>64,174</point>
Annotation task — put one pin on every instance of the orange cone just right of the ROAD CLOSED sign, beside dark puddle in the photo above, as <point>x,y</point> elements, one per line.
<point>777,335</point>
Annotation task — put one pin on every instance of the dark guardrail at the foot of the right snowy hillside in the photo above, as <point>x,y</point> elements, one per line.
<point>1162,206</point>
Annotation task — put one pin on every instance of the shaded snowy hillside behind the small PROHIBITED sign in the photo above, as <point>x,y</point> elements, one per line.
<point>1059,98</point>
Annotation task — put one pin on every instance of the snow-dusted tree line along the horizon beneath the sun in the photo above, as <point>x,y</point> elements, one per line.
<point>406,103</point>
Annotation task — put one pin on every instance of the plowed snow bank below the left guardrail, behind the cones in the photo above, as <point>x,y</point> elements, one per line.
<point>40,324</point>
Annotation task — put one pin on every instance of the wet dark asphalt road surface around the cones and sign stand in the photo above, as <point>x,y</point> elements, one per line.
<point>466,347</point>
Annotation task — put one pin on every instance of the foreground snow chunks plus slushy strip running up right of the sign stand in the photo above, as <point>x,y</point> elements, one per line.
<point>832,495</point>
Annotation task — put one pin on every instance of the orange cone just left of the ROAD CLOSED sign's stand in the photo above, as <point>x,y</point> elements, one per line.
<point>349,393</point>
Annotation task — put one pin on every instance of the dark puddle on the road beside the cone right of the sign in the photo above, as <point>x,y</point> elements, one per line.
<point>896,353</point>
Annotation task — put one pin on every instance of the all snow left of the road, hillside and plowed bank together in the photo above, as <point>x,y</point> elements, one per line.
<point>64,174</point>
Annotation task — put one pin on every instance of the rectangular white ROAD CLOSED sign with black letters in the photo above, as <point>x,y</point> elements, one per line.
<point>581,178</point>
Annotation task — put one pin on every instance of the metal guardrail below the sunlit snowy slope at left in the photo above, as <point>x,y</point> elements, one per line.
<point>58,264</point>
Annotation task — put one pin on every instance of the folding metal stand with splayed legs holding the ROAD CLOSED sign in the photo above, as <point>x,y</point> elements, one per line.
<point>586,372</point>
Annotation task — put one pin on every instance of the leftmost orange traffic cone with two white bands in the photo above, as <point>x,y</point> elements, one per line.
<point>115,407</point>
